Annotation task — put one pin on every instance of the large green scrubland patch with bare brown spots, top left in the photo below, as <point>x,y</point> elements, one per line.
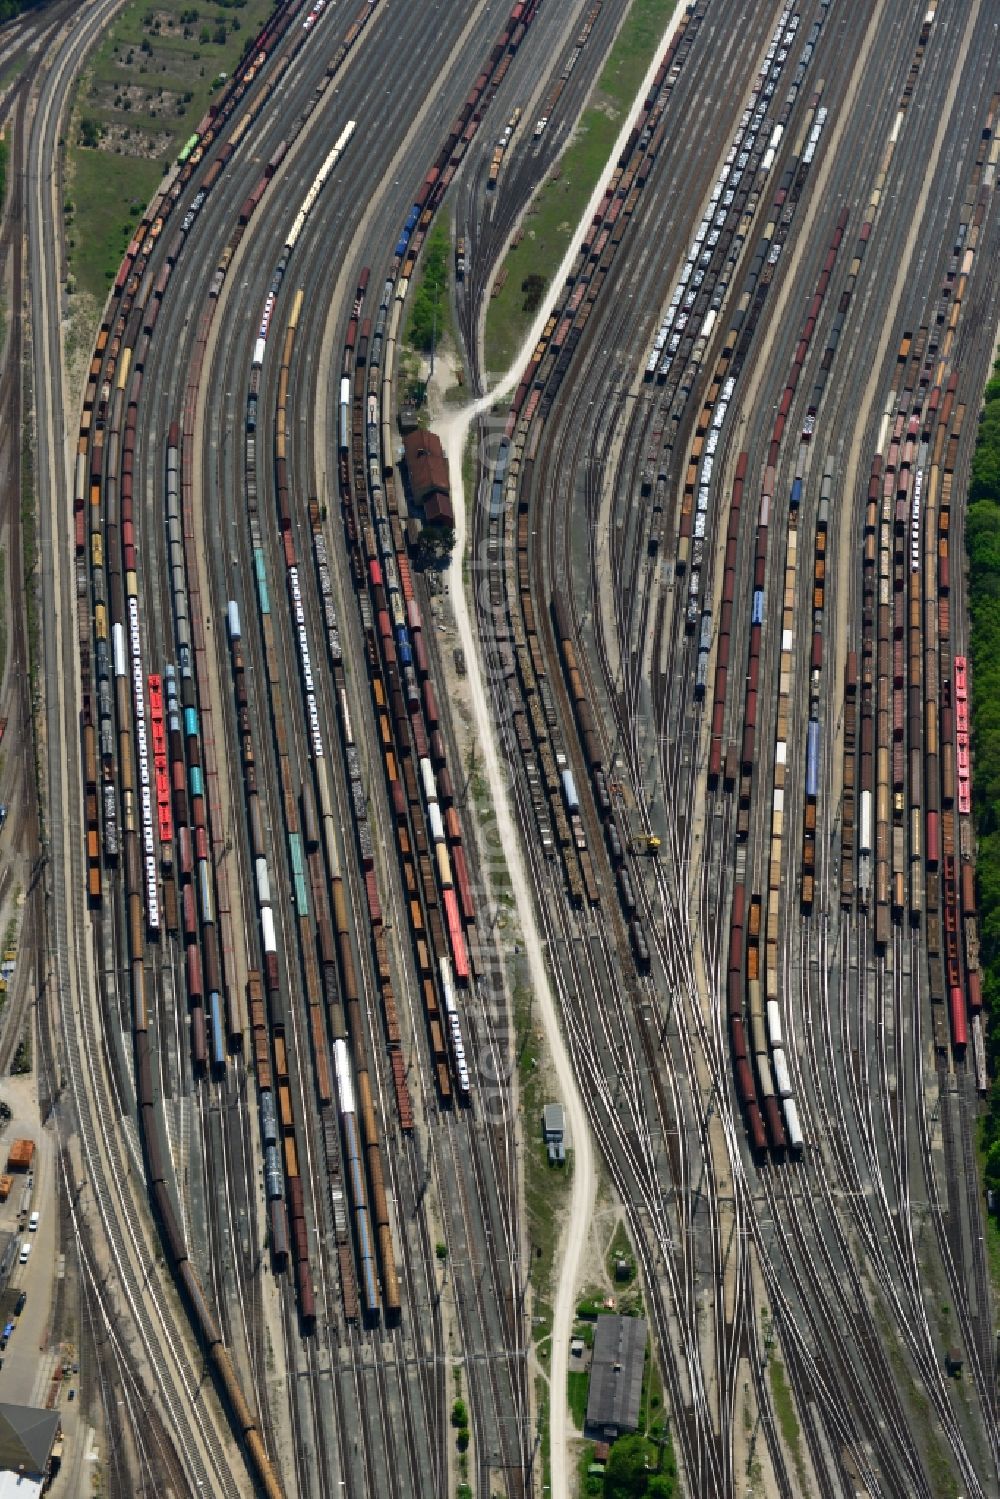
<point>145,91</point>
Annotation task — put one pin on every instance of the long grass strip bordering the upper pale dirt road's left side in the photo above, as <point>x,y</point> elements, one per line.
<point>555,212</point>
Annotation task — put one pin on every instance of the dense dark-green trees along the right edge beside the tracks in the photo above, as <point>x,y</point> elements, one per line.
<point>983,543</point>
